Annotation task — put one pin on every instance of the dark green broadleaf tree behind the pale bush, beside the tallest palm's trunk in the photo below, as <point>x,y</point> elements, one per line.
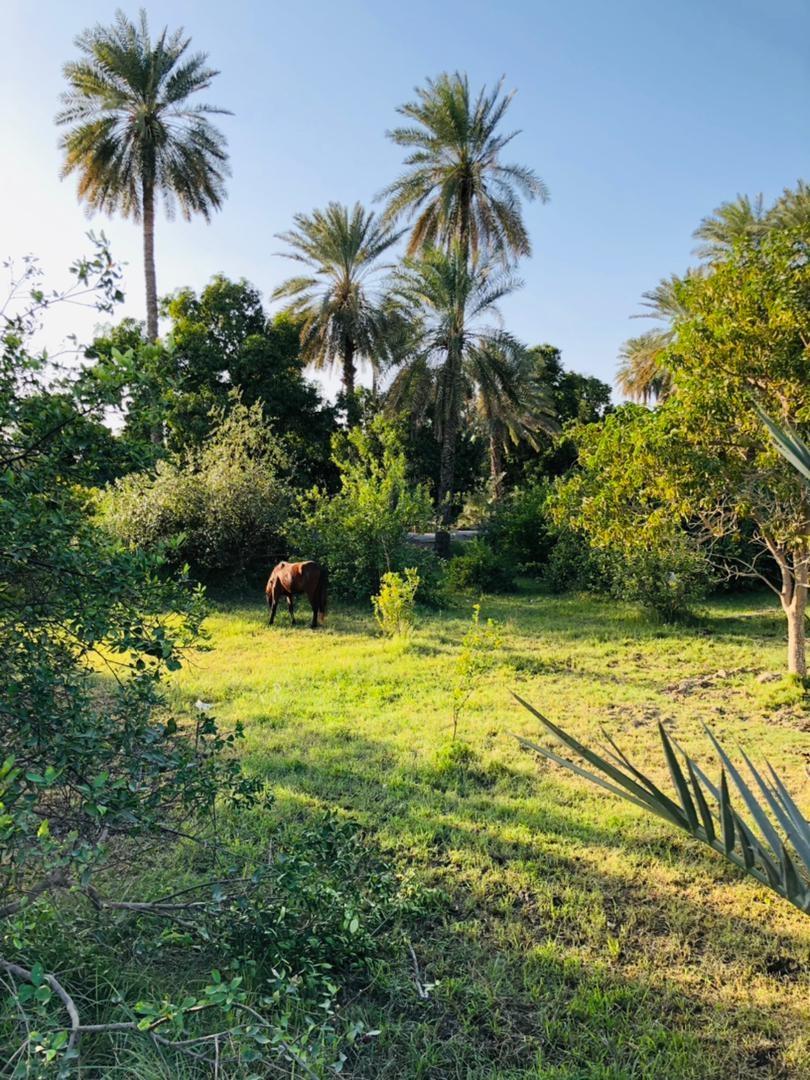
<point>221,342</point>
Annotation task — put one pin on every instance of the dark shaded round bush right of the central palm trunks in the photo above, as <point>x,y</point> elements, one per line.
<point>519,529</point>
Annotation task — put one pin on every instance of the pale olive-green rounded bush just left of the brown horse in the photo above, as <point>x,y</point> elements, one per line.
<point>220,509</point>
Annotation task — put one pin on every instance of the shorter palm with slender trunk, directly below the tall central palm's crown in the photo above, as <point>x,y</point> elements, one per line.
<point>449,302</point>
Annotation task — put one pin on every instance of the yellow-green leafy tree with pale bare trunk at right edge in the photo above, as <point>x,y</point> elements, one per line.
<point>704,460</point>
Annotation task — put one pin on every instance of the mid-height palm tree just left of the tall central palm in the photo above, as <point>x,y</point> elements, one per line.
<point>343,319</point>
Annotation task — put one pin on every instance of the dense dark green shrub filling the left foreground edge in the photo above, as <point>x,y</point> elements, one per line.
<point>96,774</point>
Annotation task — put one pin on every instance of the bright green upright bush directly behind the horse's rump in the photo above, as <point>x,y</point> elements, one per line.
<point>361,532</point>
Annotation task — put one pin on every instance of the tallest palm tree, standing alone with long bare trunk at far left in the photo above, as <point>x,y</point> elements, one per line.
<point>133,136</point>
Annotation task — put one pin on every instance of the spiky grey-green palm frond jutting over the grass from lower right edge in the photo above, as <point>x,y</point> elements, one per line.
<point>706,811</point>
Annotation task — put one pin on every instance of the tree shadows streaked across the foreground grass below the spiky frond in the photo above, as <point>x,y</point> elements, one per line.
<point>533,949</point>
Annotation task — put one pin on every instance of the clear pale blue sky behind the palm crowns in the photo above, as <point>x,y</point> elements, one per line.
<point>642,117</point>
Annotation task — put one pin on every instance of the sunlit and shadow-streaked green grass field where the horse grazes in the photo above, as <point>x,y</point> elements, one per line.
<point>572,937</point>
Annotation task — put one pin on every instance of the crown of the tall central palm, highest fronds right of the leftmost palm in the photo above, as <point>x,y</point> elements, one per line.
<point>456,188</point>
